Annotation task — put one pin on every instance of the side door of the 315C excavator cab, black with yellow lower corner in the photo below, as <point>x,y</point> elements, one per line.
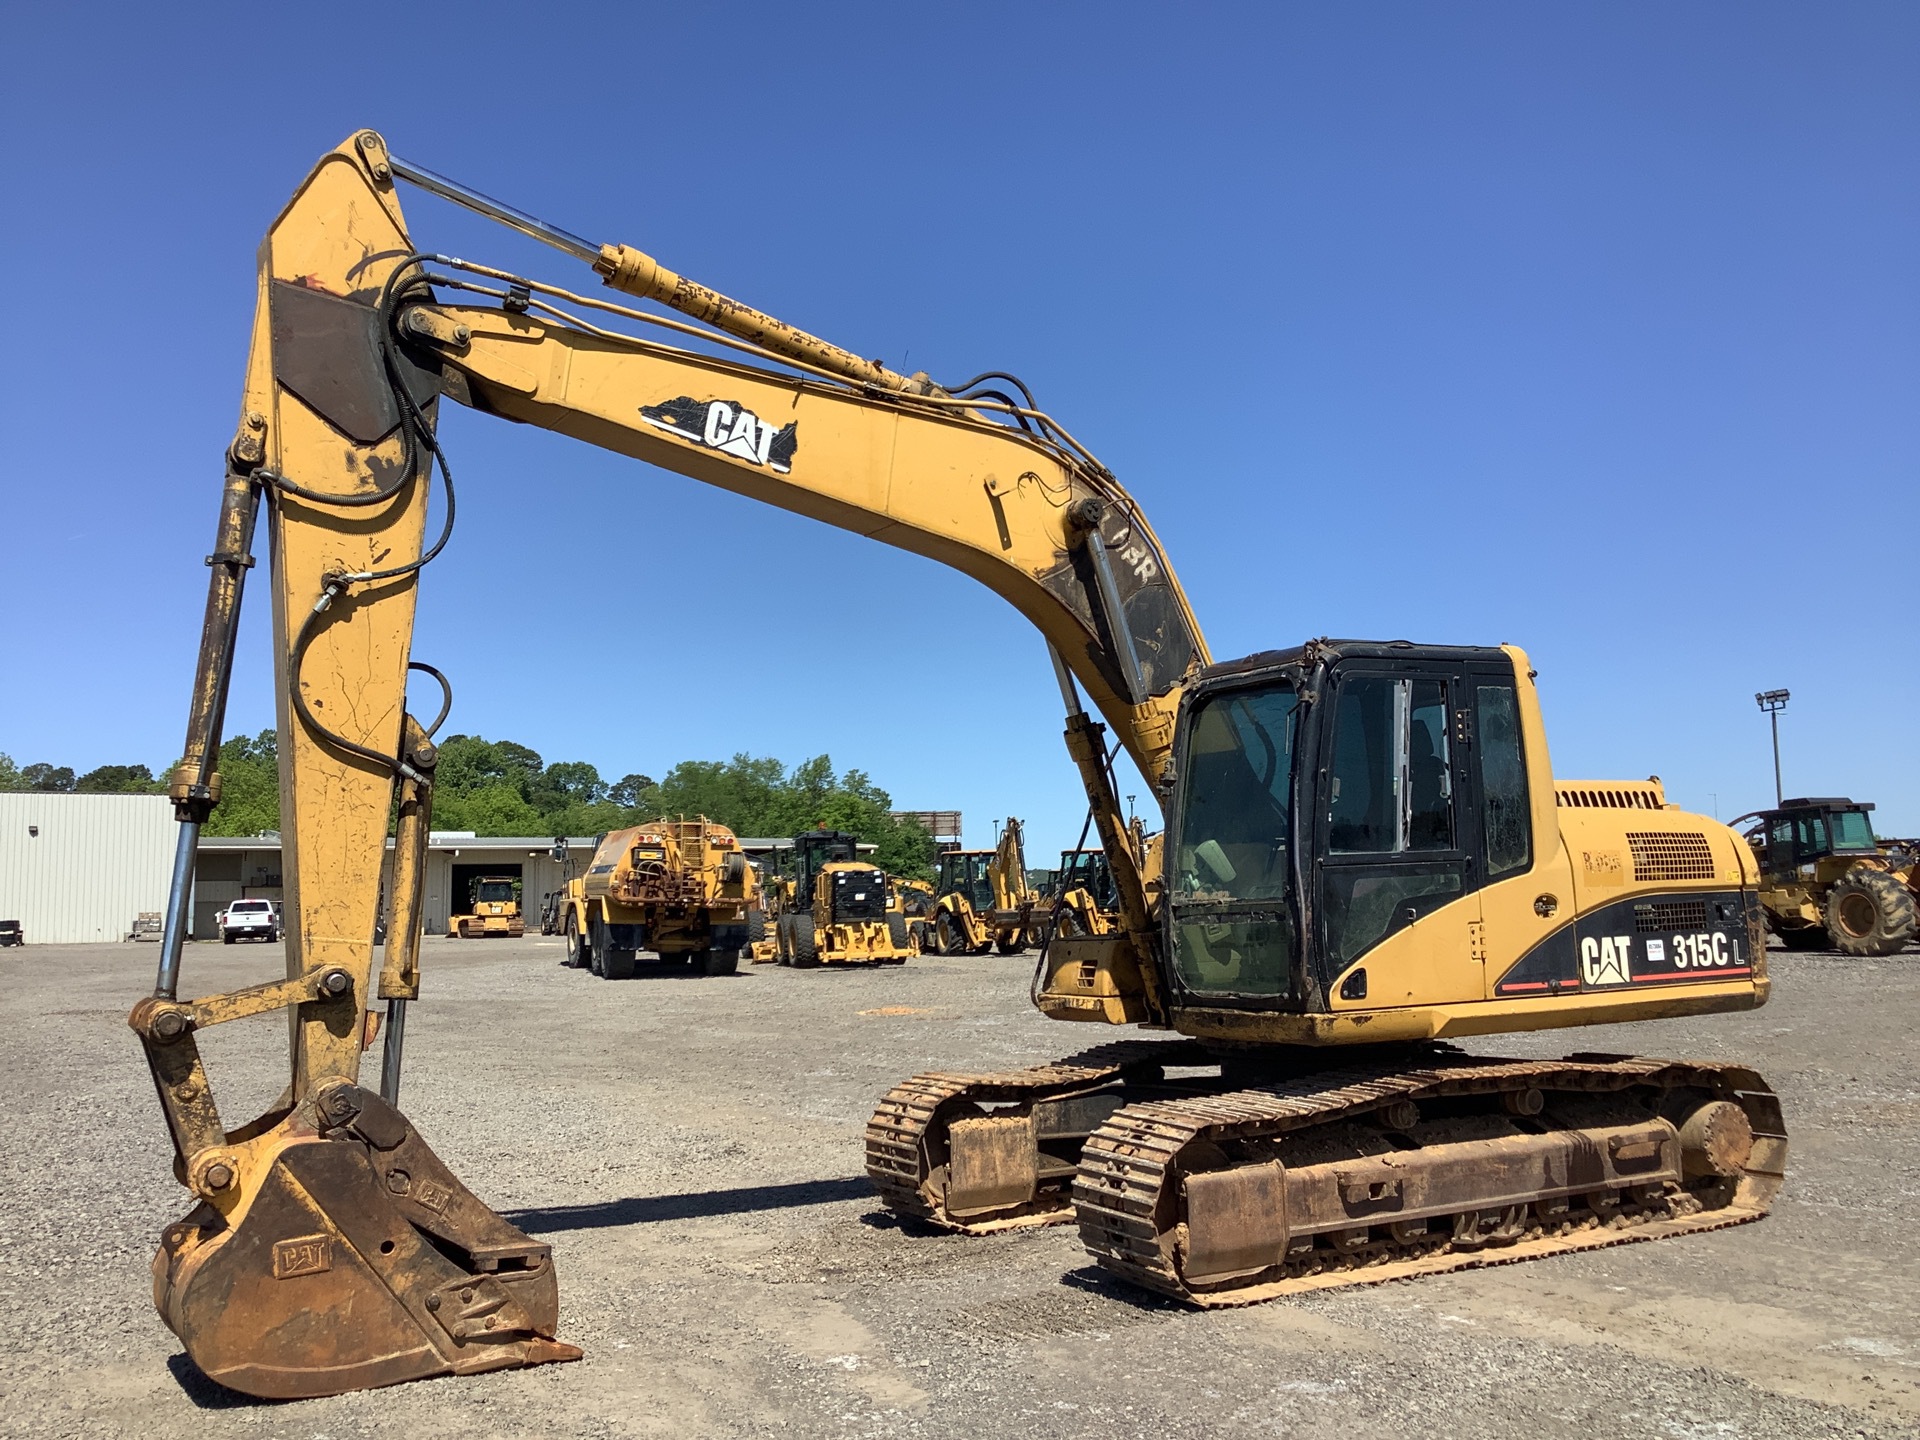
<point>1397,873</point>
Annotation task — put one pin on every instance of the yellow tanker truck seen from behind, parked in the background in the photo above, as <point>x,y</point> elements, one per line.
<point>679,888</point>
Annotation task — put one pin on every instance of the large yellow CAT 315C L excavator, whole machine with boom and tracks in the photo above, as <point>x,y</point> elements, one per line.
<point>1366,857</point>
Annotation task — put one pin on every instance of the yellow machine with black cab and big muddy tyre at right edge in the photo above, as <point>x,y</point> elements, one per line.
<point>1829,882</point>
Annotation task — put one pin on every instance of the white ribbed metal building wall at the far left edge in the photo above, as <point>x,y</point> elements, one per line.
<point>82,869</point>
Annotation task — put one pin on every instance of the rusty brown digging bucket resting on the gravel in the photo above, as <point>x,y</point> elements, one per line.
<point>354,1260</point>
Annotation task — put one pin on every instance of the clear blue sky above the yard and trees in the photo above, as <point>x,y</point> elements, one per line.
<point>1587,327</point>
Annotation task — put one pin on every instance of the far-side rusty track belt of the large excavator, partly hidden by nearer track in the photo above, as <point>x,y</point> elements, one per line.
<point>896,1157</point>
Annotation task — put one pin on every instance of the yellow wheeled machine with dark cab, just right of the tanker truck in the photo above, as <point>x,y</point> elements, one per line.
<point>838,909</point>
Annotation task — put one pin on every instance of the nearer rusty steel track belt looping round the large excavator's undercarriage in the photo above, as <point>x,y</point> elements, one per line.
<point>1128,1164</point>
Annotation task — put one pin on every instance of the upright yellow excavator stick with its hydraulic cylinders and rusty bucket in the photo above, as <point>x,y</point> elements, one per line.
<point>329,1249</point>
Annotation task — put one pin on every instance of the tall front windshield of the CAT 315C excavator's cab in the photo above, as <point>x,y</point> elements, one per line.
<point>1232,876</point>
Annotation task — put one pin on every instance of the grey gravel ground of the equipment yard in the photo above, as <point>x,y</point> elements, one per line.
<point>692,1151</point>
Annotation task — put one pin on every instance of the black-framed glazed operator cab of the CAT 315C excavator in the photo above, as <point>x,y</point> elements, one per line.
<point>1391,800</point>
